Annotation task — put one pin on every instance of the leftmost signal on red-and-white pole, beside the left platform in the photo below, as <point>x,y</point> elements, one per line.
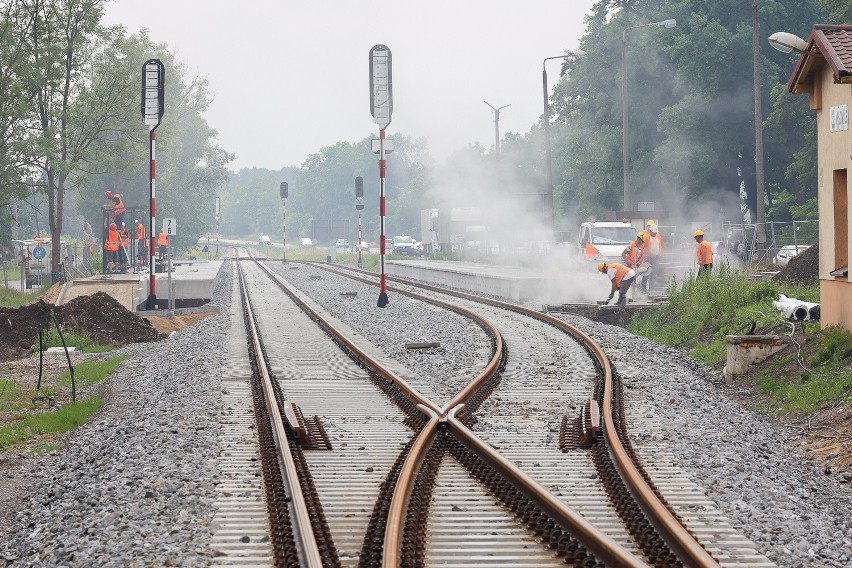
<point>153,107</point>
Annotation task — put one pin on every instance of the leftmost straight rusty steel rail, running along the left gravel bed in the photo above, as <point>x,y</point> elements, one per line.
<point>307,545</point>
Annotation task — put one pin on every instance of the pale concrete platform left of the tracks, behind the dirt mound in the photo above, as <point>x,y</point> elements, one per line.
<point>192,285</point>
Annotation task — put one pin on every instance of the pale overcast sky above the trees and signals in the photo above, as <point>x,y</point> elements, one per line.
<point>291,77</point>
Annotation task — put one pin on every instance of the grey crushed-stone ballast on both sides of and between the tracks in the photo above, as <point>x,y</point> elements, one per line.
<point>135,486</point>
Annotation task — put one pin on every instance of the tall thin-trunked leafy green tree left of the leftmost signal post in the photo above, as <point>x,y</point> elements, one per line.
<point>74,106</point>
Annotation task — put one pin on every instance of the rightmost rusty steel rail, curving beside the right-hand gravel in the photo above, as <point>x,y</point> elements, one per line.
<point>672,531</point>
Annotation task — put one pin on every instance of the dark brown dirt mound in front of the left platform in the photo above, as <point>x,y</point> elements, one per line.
<point>99,316</point>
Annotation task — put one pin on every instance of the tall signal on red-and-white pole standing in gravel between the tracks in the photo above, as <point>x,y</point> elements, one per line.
<point>381,107</point>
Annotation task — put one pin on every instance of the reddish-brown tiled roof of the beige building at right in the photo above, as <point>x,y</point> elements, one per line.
<point>827,45</point>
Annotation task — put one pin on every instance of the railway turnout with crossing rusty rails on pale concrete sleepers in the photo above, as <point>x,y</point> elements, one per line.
<point>409,482</point>
